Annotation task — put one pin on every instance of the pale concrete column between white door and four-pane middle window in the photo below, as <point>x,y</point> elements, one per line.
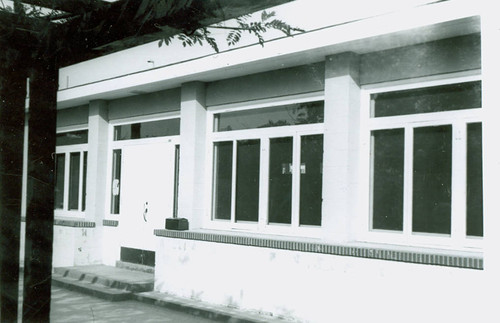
<point>192,154</point>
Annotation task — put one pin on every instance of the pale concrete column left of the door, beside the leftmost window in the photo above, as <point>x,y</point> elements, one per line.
<point>97,161</point>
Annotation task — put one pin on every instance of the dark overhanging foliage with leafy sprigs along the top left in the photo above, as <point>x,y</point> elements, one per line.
<point>74,28</point>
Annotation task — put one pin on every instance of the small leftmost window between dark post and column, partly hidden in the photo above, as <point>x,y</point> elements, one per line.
<point>71,171</point>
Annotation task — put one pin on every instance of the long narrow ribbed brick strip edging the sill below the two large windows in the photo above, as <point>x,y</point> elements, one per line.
<point>338,250</point>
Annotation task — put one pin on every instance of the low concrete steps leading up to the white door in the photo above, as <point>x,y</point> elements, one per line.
<point>106,282</point>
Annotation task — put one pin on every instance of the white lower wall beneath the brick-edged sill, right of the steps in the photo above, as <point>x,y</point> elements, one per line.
<point>313,287</point>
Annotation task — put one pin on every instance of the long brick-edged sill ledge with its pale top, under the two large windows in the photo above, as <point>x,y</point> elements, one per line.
<point>428,256</point>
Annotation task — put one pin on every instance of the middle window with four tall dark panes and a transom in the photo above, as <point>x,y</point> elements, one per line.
<point>267,166</point>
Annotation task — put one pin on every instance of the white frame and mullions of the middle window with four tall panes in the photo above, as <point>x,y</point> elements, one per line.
<point>264,134</point>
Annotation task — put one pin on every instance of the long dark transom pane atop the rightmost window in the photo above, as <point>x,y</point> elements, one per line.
<point>430,99</point>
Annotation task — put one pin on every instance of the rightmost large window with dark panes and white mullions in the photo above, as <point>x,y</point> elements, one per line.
<point>426,161</point>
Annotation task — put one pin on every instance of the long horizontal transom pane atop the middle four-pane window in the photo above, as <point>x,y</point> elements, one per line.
<point>285,115</point>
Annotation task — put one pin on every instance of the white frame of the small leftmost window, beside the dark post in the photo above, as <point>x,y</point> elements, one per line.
<point>67,150</point>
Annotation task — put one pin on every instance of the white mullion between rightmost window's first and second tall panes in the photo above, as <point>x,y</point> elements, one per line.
<point>408,182</point>
